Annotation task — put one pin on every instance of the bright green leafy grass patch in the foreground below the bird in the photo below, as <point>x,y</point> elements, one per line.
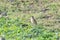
<point>13,29</point>
